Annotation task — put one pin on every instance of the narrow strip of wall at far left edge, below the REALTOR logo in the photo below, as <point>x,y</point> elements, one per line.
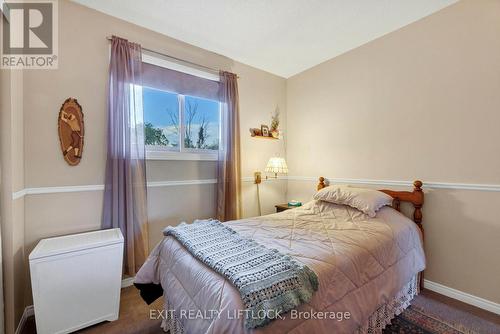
<point>12,209</point>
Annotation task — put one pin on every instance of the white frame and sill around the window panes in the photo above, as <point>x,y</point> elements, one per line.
<point>157,152</point>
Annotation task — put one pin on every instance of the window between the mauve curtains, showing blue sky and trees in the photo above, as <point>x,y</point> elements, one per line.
<point>181,114</point>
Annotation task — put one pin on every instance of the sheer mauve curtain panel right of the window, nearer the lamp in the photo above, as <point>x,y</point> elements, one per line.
<point>228,168</point>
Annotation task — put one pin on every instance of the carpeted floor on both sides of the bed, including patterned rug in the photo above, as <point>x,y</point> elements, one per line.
<point>430,313</point>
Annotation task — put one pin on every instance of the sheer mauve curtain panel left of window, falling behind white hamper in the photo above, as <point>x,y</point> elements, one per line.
<point>125,202</point>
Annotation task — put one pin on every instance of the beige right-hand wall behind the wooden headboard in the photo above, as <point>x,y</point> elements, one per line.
<point>421,102</point>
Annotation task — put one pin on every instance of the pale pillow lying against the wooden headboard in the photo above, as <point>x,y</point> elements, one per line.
<point>369,201</point>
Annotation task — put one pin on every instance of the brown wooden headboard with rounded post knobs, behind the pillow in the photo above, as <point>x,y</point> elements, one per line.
<point>415,197</point>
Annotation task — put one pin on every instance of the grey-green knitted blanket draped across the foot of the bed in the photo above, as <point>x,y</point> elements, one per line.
<point>270,283</point>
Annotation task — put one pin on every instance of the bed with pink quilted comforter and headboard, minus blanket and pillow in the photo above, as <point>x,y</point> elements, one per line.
<point>368,269</point>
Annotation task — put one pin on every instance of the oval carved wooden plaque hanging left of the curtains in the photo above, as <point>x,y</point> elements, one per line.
<point>71,131</point>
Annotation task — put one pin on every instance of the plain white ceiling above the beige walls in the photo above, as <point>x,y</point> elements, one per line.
<point>283,37</point>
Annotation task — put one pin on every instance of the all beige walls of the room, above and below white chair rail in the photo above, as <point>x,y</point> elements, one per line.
<point>429,106</point>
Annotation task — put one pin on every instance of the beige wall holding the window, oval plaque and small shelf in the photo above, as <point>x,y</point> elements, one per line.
<point>82,73</point>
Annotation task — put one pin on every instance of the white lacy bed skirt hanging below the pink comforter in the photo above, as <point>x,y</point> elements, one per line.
<point>374,325</point>
